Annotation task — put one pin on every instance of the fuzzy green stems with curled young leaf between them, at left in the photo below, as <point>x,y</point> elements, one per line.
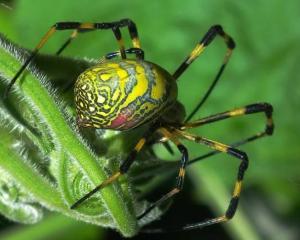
<point>74,169</point>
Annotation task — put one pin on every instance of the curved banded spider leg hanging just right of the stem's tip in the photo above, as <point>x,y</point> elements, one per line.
<point>180,178</point>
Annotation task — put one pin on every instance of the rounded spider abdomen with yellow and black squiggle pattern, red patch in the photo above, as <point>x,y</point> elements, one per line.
<point>123,94</point>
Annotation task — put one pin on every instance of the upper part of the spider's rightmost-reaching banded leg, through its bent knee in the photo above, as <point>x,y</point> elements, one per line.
<point>249,109</point>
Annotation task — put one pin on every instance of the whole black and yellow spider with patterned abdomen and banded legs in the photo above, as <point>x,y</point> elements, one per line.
<point>121,94</point>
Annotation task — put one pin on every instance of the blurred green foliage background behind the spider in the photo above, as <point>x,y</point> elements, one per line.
<point>264,68</point>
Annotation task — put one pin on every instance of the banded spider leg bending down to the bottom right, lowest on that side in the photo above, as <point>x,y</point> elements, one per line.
<point>238,185</point>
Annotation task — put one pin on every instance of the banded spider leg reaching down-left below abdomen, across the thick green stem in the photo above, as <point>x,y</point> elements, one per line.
<point>124,167</point>
